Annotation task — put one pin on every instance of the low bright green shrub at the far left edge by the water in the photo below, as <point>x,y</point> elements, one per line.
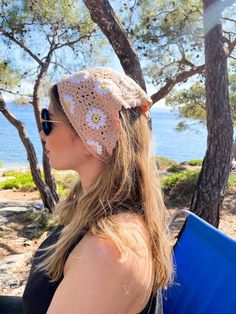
<point>21,182</point>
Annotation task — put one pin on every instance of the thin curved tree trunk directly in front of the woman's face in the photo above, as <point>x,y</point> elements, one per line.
<point>48,177</point>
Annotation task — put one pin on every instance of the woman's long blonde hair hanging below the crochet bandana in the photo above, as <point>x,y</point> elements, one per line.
<point>128,183</point>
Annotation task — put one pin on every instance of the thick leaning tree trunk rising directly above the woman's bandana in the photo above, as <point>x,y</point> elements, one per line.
<point>104,16</point>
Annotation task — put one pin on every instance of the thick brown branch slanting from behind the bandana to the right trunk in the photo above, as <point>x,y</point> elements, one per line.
<point>173,81</point>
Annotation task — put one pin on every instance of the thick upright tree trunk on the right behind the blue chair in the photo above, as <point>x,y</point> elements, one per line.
<point>209,192</point>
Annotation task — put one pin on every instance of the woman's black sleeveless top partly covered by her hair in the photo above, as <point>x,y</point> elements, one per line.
<point>39,290</point>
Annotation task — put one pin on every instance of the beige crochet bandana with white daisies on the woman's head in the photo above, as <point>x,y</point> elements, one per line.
<point>92,99</point>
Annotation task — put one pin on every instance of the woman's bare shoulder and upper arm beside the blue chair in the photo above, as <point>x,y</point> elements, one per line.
<point>95,269</point>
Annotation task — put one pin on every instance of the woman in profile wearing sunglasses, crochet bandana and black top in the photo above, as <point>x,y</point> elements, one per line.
<point>111,252</point>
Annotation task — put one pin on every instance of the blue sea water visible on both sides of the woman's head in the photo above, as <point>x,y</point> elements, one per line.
<point>181,146</point>
